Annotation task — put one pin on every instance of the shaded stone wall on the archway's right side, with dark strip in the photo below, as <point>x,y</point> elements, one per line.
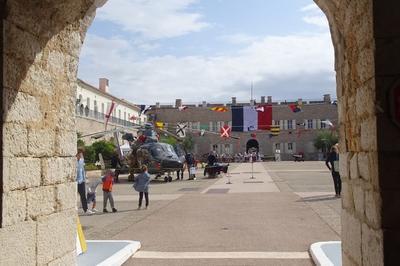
<point>365,50</point>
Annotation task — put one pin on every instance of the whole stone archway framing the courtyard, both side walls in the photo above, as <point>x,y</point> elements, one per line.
<point>40,60</point>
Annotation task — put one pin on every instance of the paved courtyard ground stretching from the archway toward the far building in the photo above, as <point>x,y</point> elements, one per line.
<point>269,220</point>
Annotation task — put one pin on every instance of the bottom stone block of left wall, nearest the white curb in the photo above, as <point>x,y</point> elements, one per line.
<point>56,236</point>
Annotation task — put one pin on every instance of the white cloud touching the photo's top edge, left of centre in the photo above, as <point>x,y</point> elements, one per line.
<point>153,19</point>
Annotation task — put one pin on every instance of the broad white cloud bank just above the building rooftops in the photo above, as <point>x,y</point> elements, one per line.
<point>270,61</point>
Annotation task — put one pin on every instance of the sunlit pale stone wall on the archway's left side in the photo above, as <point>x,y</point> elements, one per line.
<point>38,224</point>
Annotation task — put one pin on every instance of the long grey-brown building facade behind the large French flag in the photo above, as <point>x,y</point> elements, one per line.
<point>297,130</point>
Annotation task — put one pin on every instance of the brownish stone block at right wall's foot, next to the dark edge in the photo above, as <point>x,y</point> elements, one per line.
<point>372,246</point>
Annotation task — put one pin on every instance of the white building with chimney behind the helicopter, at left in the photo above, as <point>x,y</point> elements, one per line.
<point>93,104</point>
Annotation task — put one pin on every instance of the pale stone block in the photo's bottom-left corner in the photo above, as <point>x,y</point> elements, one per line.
<point>18,244</point>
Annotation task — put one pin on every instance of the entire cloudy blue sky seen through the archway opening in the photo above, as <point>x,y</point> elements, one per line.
<point>210,50</point>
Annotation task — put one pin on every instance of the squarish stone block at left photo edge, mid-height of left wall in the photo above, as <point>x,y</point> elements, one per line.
<point>15,140</point>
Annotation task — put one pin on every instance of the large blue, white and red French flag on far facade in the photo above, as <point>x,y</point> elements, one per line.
<point>246,118</point>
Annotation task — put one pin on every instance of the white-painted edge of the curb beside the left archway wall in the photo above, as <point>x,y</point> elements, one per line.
<point>122,255</point>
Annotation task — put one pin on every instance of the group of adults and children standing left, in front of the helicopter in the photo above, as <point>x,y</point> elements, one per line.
<point>88,193</point>
